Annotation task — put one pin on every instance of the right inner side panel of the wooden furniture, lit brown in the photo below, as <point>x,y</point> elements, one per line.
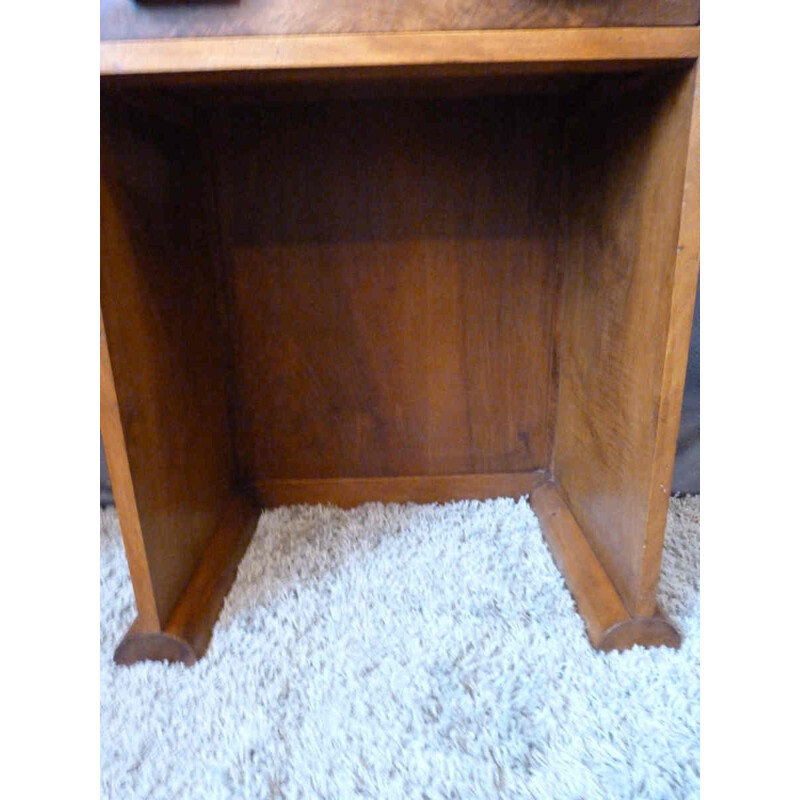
<point>624,310</point>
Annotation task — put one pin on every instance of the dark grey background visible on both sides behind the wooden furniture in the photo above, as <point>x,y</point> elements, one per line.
<point>686,477</point>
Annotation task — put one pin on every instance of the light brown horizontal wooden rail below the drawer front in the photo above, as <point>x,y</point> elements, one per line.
<point>472,51</point>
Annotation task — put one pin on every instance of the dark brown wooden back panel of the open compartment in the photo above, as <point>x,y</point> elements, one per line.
<point>392,284</point>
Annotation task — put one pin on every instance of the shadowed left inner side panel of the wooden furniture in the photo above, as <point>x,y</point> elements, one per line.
<point>162,322</point>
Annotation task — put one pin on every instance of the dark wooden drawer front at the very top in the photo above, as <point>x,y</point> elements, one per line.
<point>125,19</point>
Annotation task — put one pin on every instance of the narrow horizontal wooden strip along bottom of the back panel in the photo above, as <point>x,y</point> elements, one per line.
<point>351,492</point>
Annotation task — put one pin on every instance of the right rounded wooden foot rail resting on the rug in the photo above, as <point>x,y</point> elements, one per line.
<point>609,626</point>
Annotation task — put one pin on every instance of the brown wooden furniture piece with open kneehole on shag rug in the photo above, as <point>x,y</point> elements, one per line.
<point>423,252</point>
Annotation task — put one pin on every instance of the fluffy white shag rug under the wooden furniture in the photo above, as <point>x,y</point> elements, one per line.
<point>404,651</point>
